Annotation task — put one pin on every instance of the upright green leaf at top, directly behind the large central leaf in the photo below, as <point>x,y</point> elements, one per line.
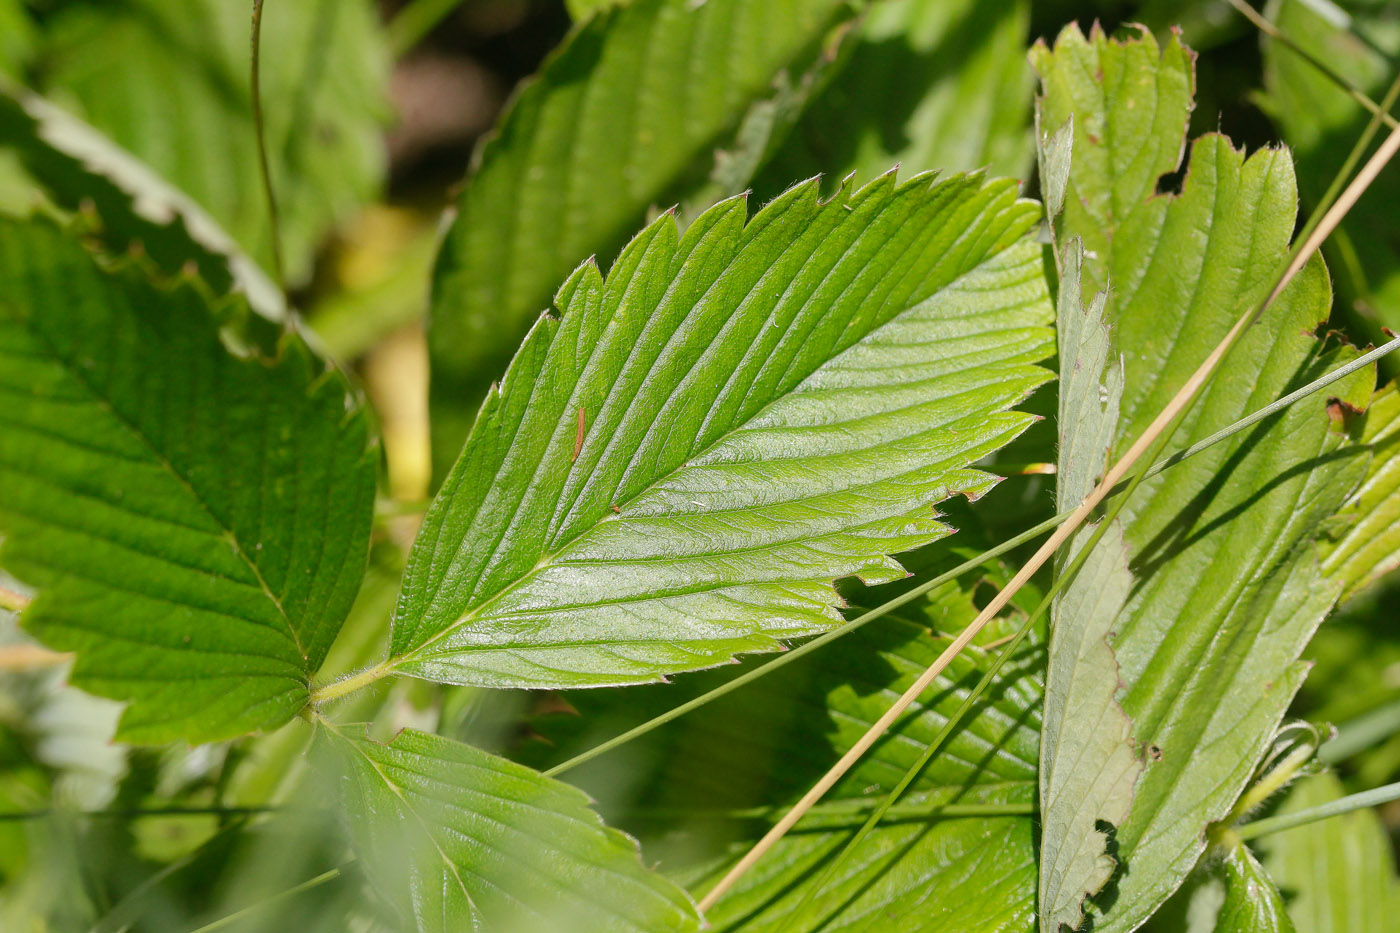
<point>625,117</point>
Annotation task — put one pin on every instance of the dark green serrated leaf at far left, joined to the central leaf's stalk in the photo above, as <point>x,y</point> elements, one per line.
<point>197,523</point>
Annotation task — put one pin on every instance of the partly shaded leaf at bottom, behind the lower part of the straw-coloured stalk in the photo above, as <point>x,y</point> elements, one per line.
<point>923,868</point>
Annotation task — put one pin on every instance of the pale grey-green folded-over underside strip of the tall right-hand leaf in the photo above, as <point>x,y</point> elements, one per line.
<point>1088,766</point>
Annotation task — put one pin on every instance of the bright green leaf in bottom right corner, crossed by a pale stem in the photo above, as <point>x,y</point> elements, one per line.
<point>1338,873</point>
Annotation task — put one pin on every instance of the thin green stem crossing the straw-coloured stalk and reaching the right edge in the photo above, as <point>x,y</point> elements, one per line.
<point>964,568</point>
